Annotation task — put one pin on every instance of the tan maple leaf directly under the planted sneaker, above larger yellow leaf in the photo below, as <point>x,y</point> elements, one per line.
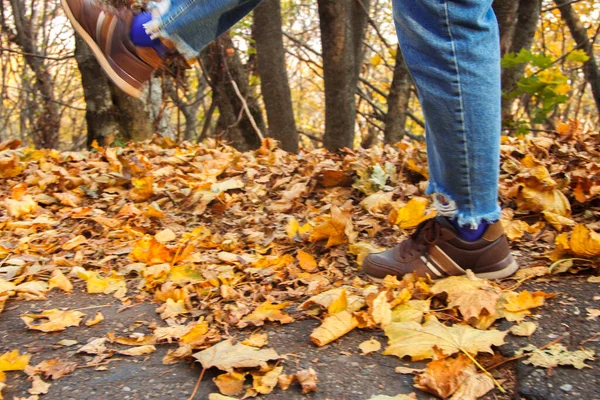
<point>470,294</point>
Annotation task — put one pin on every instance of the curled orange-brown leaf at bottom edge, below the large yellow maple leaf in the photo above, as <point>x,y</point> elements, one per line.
<point>444,377</point>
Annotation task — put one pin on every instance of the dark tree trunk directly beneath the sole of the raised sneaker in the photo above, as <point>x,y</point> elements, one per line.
<point>100,113</point>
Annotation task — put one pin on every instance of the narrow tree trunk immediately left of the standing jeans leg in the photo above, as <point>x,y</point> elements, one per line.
<point>398,99</point>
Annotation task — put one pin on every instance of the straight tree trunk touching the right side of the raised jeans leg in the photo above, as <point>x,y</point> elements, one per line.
<point>272,69</point>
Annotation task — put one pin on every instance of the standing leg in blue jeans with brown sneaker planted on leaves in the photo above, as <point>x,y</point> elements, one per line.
<point>452,50</point>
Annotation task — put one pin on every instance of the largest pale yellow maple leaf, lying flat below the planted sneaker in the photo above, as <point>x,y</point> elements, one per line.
<point>421,341</point>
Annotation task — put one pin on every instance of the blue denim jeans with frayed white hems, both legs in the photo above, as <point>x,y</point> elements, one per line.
<point>452,50</point>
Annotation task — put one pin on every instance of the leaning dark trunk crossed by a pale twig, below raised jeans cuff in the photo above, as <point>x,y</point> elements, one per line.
<point>224,66</point>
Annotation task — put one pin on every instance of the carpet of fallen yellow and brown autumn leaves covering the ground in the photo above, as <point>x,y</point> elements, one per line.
<point>222,241</point>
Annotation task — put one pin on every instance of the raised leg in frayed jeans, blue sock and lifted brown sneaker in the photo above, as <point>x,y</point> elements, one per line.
<point>127,46</point>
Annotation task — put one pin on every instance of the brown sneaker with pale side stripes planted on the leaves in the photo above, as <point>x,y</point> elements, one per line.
<point>435,249</point>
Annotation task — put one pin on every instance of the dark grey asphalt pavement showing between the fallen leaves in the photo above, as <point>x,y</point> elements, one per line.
<point>343,373</point>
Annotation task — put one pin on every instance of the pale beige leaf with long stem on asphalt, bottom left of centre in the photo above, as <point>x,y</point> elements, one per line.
<point>226,356</point>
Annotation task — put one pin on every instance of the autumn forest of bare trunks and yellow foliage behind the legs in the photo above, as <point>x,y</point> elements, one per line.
<point>296,83</point>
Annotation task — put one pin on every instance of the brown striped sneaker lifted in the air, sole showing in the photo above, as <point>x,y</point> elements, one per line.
<point>106,31</point>
